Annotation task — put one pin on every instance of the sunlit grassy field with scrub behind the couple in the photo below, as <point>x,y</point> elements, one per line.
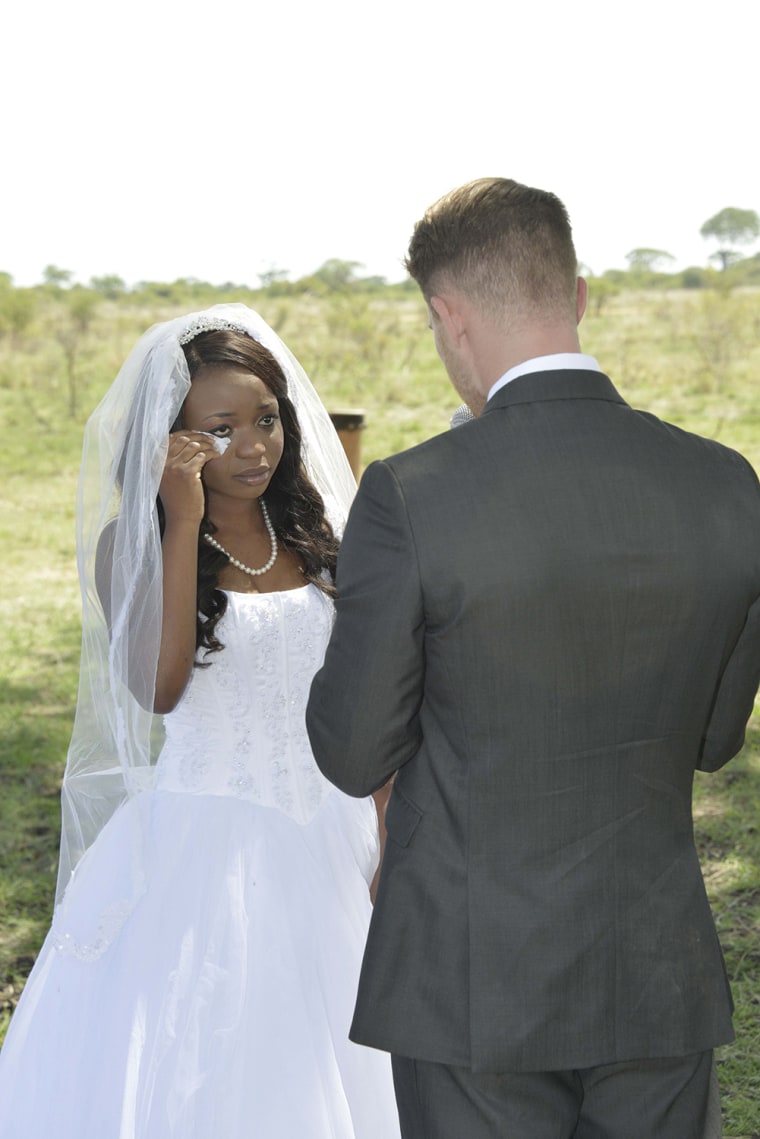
<point>692,358</point>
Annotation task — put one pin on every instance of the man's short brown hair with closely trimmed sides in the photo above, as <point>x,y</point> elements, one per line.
<point>500,243</point>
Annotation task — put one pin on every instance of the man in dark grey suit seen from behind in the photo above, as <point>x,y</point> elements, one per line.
<point>547,619</point>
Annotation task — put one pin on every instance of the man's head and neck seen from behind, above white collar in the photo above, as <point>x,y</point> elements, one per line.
<point>496,263</point>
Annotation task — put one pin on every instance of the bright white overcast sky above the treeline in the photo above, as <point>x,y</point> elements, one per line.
<point>159,140</point>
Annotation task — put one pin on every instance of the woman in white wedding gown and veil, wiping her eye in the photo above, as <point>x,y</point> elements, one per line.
<point>200,976</point>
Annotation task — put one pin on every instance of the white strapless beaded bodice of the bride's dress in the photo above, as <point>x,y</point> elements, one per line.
<point>240,728</point>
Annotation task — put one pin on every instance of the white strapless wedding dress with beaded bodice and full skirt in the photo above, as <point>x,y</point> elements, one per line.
<point>200,977</point>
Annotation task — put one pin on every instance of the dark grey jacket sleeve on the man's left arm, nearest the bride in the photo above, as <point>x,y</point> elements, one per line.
<point>363,712</point>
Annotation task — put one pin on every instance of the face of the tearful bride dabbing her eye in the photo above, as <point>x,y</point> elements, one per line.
<point>230,403</point>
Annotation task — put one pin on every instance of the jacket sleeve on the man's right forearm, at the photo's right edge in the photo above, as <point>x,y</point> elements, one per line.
<point>724,735</point>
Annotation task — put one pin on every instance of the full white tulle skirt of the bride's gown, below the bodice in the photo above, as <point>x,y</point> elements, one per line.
<point>220,1007</point>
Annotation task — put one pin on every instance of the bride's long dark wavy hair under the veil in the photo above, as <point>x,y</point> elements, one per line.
<point>296,507</point>
